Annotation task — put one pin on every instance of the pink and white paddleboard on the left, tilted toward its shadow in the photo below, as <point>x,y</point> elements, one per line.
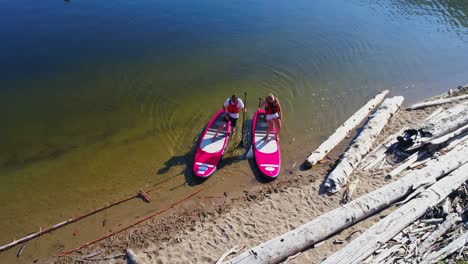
<point>210,150</point>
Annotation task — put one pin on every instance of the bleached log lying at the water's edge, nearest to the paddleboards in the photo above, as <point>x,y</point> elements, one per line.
<point>343,131</point>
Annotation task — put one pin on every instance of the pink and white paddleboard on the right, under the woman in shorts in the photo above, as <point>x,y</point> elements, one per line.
<point>267,152</point>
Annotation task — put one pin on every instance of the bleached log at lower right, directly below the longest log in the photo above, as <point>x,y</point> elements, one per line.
<point>368,242</point>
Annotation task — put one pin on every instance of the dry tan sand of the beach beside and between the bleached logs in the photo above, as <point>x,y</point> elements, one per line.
<point>203,235</point>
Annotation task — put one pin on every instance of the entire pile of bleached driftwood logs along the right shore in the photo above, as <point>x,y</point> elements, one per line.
<point>428,165</point>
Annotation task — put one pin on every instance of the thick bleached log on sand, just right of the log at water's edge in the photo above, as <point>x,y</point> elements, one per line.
<point>362,144</point>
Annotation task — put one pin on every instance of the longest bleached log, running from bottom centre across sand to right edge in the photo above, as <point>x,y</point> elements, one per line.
<point>280,247</point>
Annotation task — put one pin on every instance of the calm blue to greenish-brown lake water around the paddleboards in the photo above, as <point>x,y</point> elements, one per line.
<point>99,99</point>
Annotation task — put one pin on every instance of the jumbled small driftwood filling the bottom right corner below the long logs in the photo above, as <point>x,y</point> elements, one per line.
<point>437,234</point>
